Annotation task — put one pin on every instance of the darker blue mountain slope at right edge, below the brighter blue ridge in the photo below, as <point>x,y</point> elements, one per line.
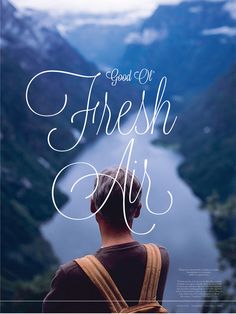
<point>206,133</point>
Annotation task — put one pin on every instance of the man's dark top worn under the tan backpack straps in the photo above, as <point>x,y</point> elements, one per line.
<point>72,291</point>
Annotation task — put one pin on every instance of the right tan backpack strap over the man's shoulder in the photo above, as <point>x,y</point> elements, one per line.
<point>152,274</point>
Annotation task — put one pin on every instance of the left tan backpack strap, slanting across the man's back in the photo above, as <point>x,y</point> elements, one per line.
<point>103,281</point>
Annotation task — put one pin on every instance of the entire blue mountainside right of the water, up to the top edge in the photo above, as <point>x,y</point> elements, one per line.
<point>194,45</point>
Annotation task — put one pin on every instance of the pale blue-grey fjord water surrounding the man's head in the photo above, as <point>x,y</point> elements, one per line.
<point>184,230</point>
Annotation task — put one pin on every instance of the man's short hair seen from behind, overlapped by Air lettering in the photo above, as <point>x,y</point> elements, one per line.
<point>112,210</point>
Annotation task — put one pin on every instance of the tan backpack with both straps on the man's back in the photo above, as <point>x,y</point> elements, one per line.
<point>103,281</point>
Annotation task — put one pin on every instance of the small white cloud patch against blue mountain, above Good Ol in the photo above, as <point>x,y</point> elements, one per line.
<point>146,37</point>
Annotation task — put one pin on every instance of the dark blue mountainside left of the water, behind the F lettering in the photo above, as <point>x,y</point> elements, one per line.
<point>29,166</point>
